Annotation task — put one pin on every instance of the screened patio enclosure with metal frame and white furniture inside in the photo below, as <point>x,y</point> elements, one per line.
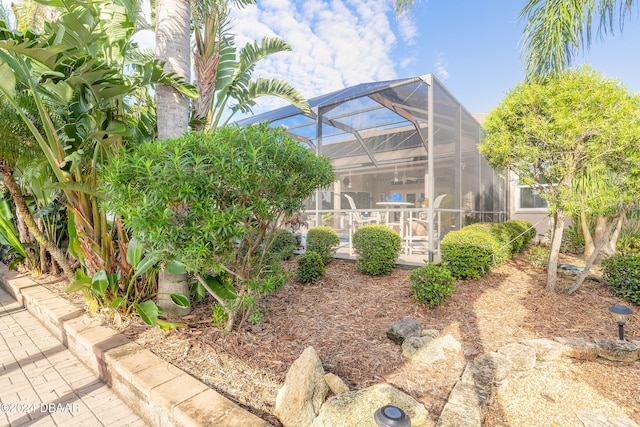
<point>396,146</point>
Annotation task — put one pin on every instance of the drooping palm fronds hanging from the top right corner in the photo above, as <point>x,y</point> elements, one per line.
<point>557,30</point>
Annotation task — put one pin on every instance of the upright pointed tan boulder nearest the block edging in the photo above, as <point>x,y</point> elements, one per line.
<point>304,390</point>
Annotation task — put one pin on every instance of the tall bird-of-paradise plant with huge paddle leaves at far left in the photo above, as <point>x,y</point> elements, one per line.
<point>85,67</point>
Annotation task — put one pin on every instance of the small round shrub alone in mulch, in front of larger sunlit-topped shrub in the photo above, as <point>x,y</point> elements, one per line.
<point>431,284</point>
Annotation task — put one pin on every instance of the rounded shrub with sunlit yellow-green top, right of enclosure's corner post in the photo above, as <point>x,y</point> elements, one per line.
<point>469,253</point>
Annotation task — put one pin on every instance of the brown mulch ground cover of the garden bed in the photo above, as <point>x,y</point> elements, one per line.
<point>345,315</point>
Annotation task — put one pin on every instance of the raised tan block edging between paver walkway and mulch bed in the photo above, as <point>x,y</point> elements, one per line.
<point>159,392</point>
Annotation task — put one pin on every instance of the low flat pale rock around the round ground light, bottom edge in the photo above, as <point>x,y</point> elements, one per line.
<point>356,408</point>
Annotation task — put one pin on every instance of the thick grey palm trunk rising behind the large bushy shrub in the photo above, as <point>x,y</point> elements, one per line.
<point>173,19</point>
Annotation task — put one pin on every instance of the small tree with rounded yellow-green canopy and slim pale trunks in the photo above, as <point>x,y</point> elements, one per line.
<point>549,133</point>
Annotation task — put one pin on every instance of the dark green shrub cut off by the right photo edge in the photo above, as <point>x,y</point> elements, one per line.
<point>623,274</point>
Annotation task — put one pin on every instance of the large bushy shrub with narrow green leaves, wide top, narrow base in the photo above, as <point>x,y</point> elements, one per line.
<point>209,199</point>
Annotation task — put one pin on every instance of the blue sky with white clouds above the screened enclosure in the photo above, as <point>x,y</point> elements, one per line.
<point>473,47</point>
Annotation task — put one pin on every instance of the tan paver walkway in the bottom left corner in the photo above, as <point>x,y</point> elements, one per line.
<point>44,384</point>
